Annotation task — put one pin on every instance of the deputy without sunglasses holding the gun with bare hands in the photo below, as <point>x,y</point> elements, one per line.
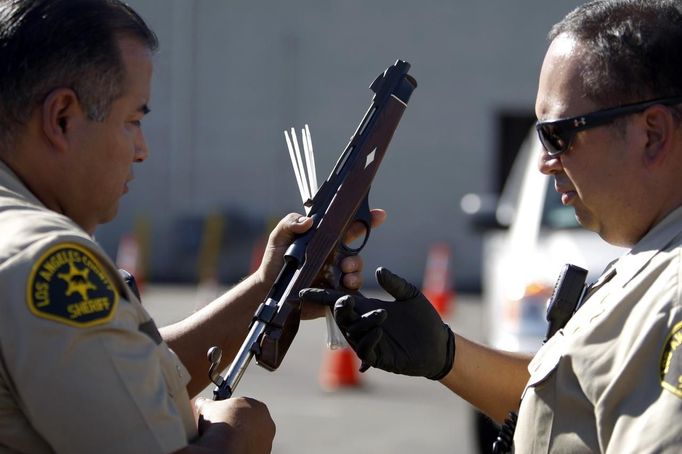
<point>83,368</point>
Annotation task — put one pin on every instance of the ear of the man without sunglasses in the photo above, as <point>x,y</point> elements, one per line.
<point>60,110</point>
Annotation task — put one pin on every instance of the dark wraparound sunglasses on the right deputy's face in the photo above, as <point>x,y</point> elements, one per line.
<point>556,135</point>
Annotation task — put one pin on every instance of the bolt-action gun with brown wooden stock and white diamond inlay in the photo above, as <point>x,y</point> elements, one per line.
<point>341,200</point>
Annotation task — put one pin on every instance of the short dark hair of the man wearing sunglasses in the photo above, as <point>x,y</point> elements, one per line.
<point>631,49</point>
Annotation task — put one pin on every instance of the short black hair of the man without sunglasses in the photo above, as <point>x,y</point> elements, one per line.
<point>49,44</point>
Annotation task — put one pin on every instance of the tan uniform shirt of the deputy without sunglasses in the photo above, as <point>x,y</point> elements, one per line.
<point>82,366</point>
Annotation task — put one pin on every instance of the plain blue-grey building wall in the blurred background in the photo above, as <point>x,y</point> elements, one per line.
<point>230,76</point>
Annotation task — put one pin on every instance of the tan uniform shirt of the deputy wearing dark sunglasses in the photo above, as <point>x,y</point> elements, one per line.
<point>610,381</point>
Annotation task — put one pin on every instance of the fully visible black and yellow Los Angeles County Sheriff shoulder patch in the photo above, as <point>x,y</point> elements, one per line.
<point>68,284</point>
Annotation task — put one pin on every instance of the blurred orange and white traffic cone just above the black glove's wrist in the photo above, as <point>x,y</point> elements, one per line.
<point>438,283</point>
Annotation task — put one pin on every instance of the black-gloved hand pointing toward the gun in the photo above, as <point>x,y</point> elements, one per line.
<point>405,336</point>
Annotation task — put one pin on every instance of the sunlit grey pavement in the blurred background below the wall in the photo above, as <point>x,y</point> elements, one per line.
<point>384,413</point>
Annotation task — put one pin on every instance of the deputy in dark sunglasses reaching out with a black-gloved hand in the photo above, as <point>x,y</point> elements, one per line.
<point>609,115</point>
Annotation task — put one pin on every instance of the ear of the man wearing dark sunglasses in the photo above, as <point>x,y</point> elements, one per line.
<point>660,127</point>
